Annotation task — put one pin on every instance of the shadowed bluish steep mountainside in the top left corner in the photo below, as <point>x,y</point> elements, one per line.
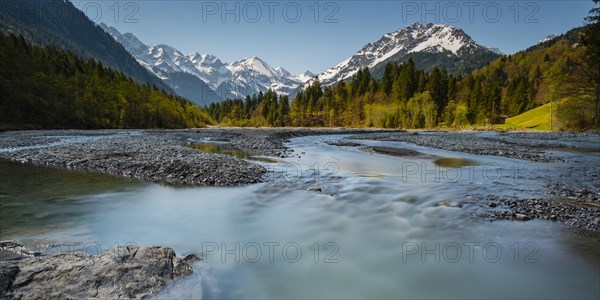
<point>61,24</point>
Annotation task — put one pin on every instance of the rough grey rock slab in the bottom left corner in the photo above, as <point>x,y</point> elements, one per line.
<point>123,272</point>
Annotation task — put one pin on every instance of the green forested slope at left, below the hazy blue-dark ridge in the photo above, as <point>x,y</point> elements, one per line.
<point>45,87</point>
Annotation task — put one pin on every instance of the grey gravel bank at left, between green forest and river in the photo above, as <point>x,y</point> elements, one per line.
<point>149,156</point>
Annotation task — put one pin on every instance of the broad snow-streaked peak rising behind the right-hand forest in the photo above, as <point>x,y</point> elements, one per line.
<point>428,44</point>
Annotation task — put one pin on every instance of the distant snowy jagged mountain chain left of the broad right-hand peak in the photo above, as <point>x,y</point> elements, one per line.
<point>223,80</point>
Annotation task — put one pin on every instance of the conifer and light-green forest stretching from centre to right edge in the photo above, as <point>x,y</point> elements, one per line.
<point>407,97</point>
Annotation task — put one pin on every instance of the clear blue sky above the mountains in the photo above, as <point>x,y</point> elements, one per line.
<point>316,35</point>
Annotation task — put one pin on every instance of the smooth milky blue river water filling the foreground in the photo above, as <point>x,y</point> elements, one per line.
<point>330,222</point>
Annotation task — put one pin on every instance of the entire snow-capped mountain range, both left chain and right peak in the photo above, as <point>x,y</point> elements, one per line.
<point>204,78</point>
